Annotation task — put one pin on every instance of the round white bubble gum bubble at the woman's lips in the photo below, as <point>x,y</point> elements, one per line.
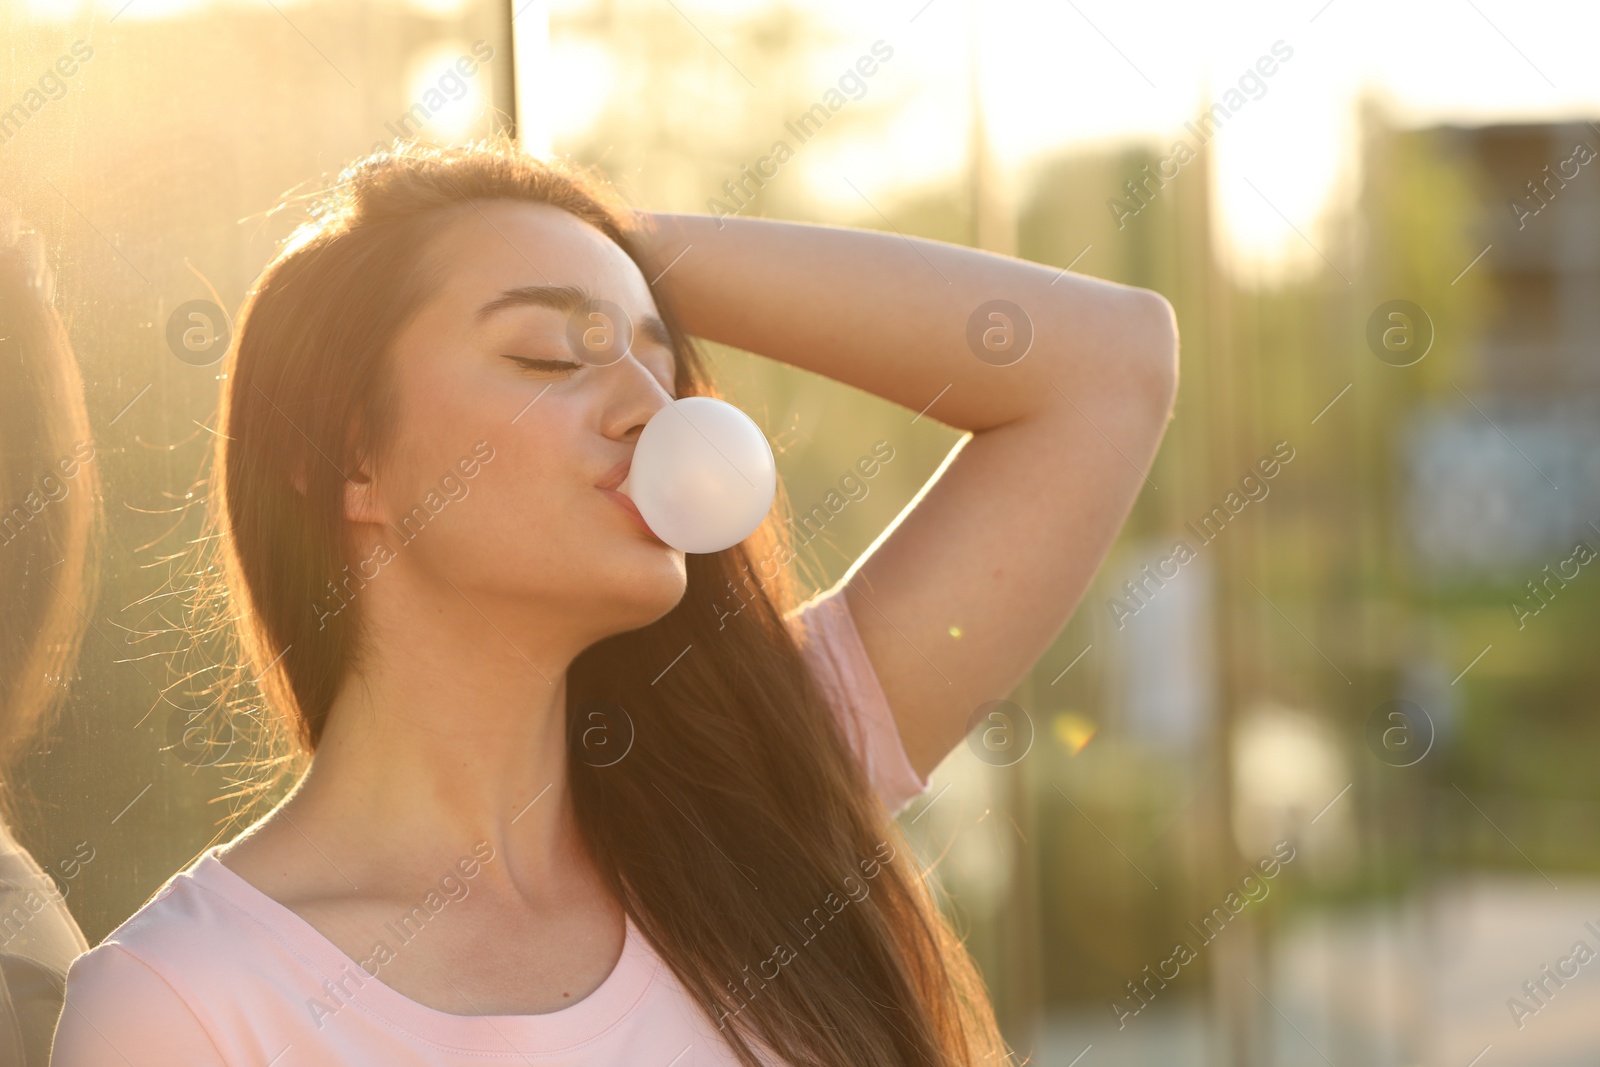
<point>703,476</point>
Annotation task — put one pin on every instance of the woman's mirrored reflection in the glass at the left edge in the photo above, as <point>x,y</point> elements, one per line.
<point>49,502</point>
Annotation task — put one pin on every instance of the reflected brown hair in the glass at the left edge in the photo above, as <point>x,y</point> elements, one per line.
<point>49,498</point>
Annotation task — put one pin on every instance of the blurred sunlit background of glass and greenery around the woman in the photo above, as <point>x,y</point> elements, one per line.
<point>1327,716</point>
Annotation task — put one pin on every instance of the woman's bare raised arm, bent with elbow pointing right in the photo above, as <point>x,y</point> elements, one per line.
<point>977,577</point>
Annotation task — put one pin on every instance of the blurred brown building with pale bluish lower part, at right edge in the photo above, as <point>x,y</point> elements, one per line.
<point>1506,476</point>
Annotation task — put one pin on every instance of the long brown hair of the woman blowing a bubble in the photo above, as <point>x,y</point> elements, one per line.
<point>738,823</point>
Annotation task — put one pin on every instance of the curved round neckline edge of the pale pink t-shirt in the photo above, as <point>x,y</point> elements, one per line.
<point>548,1033</point>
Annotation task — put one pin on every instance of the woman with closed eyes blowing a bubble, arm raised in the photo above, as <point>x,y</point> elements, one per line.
<point>574,796</point>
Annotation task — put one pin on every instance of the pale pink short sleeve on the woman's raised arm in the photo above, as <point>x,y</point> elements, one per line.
<point>831,645</point>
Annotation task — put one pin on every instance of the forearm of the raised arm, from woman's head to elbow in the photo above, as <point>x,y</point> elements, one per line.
<point>892,316</point>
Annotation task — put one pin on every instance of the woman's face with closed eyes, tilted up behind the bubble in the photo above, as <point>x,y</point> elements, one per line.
<point>505,438</point>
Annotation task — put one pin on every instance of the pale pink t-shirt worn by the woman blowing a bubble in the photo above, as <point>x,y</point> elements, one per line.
<point>214,972</point>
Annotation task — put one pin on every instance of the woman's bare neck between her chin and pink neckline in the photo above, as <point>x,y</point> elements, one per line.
<point>449,732</point>
